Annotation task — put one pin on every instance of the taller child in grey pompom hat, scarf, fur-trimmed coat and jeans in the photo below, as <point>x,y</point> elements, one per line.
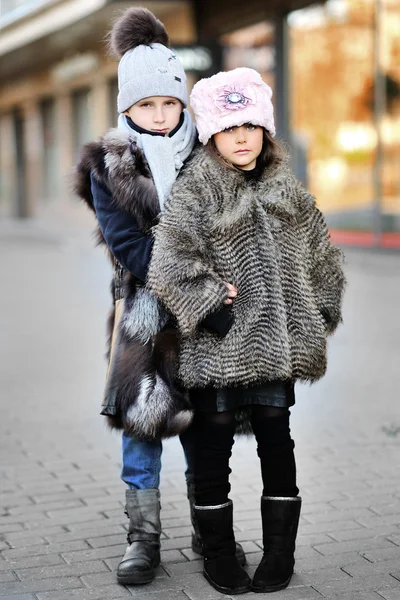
<point>124,178</point>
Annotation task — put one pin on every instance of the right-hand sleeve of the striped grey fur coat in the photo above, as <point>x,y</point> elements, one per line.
<point>324,262</point>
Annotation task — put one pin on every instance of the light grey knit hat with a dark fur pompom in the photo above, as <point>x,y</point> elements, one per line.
<point>147,67</point>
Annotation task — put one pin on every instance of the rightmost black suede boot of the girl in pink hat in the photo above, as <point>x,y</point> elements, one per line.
<point>280,519</point>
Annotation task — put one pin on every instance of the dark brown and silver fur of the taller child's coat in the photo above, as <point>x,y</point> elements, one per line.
<point>142,396</point>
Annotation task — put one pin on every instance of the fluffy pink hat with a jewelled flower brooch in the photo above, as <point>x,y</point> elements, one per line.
<point>229,99</point>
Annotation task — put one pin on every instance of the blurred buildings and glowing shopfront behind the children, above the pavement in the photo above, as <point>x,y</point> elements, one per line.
<point>334,67</point>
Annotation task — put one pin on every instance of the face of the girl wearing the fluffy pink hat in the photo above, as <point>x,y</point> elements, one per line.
<point>240,145</point>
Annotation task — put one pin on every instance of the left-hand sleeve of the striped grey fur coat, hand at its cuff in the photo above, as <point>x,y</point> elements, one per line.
<point>181,269</point>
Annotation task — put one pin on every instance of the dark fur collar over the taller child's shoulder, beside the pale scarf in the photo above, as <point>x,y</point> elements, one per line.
<point>117,163</point>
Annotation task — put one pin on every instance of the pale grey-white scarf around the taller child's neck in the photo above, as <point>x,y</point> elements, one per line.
<point>165,155</point>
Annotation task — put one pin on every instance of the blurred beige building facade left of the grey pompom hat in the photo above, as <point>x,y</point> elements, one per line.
<point>58,90</point>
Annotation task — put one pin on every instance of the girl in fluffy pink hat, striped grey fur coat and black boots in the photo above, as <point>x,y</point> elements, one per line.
<point>243,245</point>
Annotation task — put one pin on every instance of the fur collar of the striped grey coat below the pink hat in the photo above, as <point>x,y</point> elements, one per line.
<point>232,196</point>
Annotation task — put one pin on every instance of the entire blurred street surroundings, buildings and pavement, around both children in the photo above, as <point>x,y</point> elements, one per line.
<point>334,67</point>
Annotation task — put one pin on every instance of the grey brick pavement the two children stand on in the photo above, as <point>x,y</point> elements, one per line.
<point>62,524</point>
